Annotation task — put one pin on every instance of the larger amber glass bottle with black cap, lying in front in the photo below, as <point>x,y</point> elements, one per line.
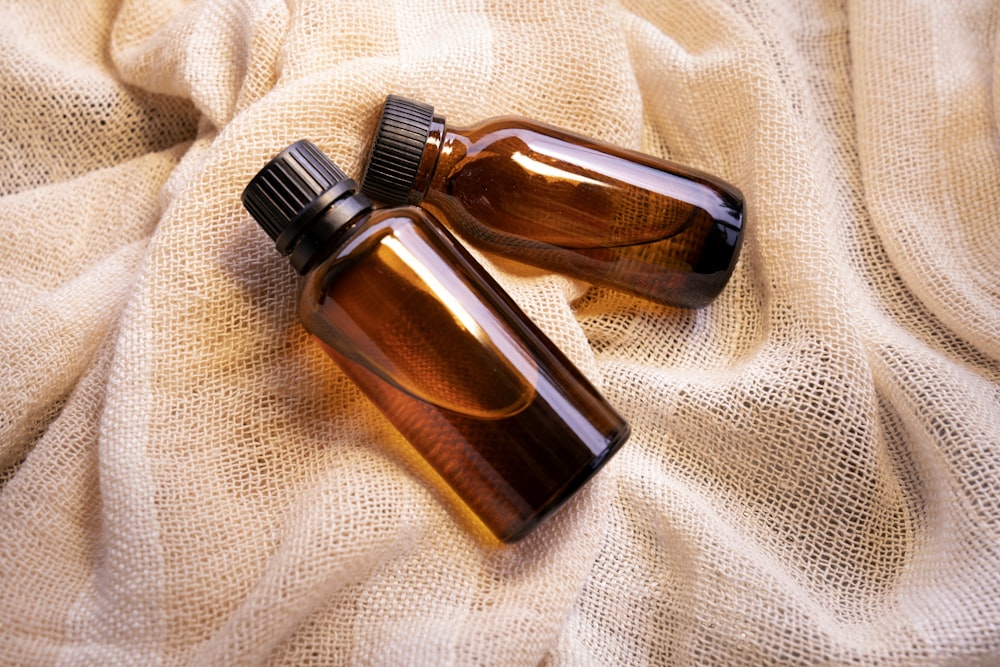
<point>478,390</point>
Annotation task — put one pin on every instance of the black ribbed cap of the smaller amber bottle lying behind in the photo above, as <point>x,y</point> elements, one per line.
<point>397,149</point>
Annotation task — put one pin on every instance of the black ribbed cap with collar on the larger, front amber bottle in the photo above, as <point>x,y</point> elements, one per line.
<point>297,188</point>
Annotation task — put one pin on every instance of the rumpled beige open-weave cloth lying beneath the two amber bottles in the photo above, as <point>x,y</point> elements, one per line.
<point>814,475</point>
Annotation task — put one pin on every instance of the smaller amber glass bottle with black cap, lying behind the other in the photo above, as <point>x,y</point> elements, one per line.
<point>546,197</point>
